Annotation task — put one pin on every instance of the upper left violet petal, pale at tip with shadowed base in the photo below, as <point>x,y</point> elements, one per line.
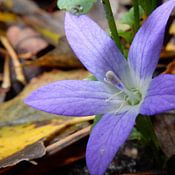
<point>95,49</point>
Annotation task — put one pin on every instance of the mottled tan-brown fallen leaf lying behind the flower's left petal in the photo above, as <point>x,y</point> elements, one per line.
<point>15,111</point>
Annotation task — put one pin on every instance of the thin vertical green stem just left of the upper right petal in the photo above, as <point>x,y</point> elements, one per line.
<point>136,16</point>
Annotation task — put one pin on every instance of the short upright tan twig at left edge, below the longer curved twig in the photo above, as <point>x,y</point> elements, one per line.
<point>6,75</point>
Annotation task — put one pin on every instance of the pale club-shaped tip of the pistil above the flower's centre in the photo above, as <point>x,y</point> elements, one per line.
<point>113,79</point>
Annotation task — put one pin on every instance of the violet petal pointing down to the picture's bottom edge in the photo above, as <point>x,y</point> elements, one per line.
<point>106,138</point>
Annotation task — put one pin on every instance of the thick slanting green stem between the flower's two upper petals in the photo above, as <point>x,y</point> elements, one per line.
<point>111,23</point>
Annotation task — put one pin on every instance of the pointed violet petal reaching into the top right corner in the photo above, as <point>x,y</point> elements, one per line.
<point>146,46</point>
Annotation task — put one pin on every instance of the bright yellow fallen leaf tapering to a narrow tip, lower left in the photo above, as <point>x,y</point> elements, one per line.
<point>15,138</point>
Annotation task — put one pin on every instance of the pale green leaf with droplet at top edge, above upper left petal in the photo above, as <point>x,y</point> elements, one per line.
<point>76,7</point>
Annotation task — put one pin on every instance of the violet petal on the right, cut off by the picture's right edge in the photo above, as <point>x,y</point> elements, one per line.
<point>161,95</point>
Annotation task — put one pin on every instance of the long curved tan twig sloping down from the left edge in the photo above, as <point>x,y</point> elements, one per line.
<point>18,68</point>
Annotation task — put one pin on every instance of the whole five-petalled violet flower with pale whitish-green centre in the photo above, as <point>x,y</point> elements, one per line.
<point>123,90</point>
